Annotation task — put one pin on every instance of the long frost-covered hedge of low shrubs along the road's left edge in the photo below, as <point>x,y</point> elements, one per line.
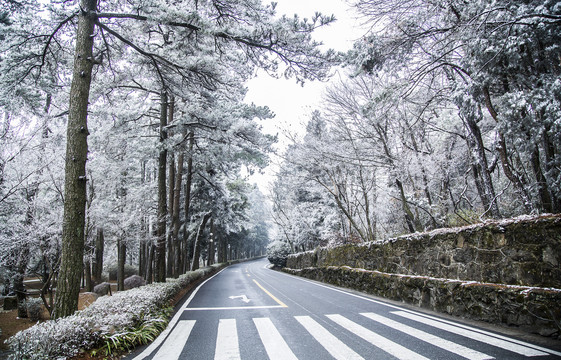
<point>124,318</point>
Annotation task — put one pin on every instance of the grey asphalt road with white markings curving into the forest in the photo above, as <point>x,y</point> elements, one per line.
<point>248,311</point>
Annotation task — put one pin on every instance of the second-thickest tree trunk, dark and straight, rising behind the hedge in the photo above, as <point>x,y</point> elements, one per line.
<point>160,267</point>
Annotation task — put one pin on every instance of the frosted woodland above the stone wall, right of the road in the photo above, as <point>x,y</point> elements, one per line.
<point>449,115</point>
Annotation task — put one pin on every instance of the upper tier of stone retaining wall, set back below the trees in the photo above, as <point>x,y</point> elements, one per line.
<point>522,251</point>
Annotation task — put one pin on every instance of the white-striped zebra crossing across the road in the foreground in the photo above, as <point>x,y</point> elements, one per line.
<point>324,331</point>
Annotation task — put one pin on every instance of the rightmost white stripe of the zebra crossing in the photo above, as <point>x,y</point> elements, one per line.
<point>507,345</point>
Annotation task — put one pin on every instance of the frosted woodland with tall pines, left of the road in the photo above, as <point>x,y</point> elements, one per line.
<point>148,94</point>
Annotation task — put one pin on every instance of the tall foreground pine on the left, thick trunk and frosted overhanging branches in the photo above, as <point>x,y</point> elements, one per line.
<point>240,28</point>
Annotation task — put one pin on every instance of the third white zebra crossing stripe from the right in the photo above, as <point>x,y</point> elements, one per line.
<point>381,342</point>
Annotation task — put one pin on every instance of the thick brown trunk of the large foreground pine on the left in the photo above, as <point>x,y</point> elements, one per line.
<point>68,284</point>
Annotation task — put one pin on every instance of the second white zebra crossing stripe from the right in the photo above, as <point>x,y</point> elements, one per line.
<point>430,338</point>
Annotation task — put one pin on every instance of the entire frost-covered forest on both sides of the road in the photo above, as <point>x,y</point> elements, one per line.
<point>125,139</point>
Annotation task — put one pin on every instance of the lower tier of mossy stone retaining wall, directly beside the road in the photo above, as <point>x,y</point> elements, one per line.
<point>535,310</point>
